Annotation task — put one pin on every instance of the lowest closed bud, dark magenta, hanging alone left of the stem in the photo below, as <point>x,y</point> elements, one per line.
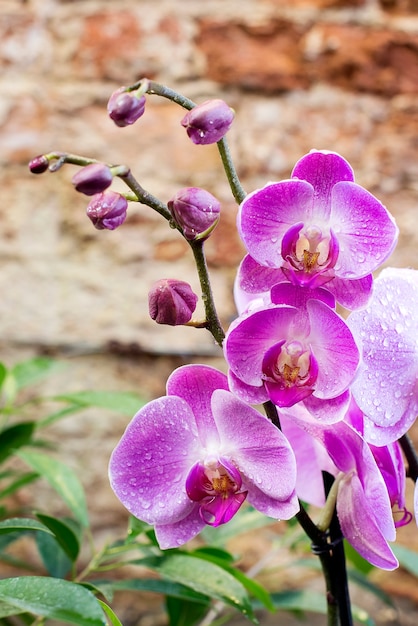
<point>171,302</point>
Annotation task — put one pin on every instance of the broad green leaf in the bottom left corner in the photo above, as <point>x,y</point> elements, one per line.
<point>52,598</point>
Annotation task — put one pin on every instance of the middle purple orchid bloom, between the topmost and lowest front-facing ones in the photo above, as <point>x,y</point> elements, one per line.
<point>298,351</point>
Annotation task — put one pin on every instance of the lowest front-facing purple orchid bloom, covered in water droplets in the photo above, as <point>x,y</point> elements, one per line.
<point>193,457</point>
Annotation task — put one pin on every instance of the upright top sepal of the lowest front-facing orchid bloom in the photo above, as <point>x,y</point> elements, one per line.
<point>195,384</point>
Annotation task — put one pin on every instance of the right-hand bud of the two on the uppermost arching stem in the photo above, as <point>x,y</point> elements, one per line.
<point>208,122</point>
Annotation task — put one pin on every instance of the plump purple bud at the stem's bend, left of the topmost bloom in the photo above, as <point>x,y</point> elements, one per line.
<point>196,211</point>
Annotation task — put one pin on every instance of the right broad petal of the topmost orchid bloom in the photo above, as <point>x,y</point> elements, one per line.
<point>366,232</point>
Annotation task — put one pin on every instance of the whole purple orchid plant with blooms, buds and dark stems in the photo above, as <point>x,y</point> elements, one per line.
<point>312,415</point>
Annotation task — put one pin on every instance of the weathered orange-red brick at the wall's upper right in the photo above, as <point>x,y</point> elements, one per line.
<point>281,55</point>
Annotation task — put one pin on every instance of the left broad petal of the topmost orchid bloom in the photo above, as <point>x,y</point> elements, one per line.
<point>266,214</point>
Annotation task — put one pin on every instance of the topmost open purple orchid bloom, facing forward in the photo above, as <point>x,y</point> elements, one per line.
<point>319,227</point>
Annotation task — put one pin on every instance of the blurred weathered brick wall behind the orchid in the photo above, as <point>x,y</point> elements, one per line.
<point>339,75</point>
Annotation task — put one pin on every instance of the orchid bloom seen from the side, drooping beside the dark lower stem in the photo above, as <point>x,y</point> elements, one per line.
<point>362,501</point>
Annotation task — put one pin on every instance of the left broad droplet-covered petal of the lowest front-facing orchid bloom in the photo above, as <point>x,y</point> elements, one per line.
<point>149,466</point>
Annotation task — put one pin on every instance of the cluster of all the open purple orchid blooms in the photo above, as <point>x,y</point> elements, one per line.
<point>344,388</point>
